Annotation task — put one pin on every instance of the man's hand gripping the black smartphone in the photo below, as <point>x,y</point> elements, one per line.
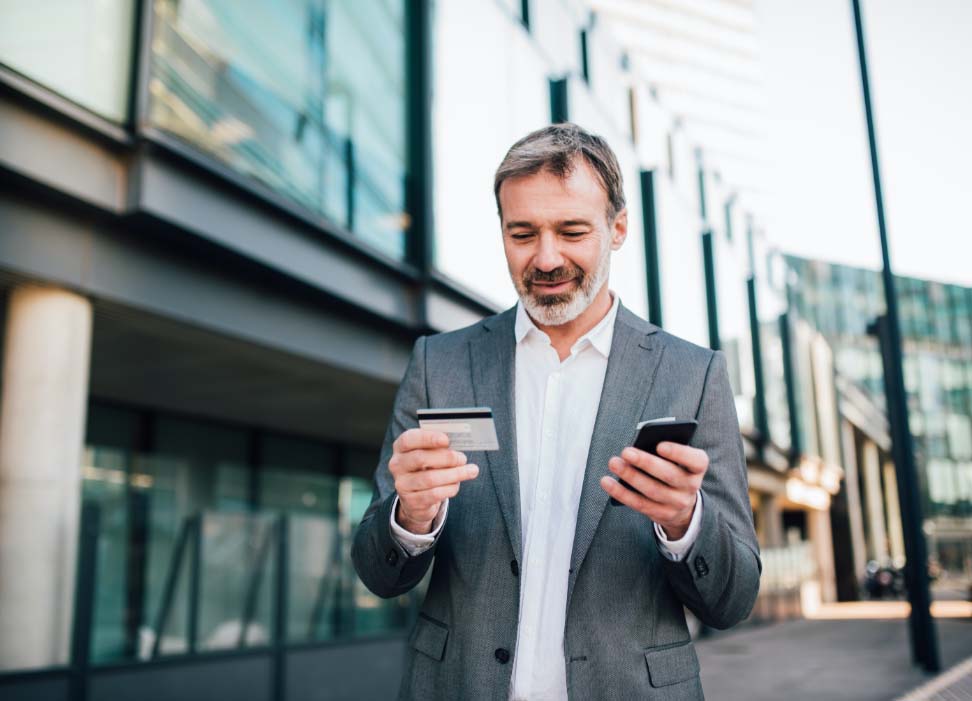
<point>664,487</point>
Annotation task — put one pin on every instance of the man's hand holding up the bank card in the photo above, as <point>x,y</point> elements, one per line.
<point>426,472</point>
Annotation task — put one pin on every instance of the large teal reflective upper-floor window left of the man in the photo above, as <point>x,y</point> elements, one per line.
<point>306,96</point>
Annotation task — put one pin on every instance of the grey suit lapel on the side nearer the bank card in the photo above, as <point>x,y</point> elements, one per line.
<point>493,357</point>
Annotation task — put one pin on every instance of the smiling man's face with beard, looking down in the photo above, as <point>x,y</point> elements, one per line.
<point>558,241</point>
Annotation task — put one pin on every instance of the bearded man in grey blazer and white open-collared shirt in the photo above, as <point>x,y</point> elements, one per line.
<point>539,589</point>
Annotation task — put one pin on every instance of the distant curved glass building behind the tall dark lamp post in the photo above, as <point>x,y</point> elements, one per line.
<point>935,325</point>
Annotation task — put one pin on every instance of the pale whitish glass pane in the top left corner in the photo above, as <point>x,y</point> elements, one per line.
<point>81,49</point>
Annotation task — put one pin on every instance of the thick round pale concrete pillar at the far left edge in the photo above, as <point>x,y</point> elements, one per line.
<point>43,405</point>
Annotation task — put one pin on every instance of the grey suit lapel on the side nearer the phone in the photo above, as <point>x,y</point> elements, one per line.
<point>635,353</point>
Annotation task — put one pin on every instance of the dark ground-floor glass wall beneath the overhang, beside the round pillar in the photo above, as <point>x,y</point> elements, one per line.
<point>189,544</point>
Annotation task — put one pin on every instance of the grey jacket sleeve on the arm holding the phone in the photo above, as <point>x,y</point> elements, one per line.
<point>719,578</point>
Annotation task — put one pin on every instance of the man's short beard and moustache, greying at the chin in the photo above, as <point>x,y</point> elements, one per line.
<point>560,309</point>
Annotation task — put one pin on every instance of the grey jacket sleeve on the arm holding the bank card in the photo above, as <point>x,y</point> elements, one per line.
<point>381,562</point>
